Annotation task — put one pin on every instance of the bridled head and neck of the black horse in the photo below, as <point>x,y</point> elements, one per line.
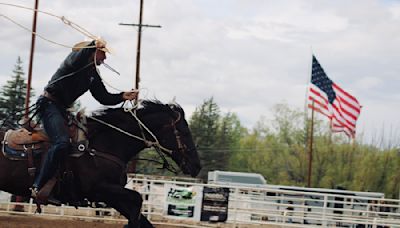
<point>162,126</point>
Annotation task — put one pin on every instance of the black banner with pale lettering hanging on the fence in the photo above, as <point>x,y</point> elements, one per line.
<point>215,204</point>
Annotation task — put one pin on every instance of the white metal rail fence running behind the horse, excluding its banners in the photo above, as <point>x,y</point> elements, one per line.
<point>257,206</point>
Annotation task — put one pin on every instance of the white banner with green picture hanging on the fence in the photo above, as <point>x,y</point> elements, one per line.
<point>183,202</point>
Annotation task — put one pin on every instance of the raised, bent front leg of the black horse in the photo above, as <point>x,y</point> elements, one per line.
<point>125,201</point>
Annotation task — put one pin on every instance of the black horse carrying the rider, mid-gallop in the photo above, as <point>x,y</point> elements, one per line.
<point>115,136</point>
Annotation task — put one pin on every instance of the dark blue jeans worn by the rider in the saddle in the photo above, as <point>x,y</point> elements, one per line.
<point>55,125</point>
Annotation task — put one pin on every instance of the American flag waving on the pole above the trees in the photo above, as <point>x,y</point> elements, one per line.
<point>329,99</point>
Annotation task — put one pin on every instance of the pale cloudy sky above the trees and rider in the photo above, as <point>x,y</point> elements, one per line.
<point>249,55</point>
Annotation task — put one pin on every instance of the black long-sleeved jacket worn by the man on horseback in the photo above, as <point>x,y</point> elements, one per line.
<point>76,75</point>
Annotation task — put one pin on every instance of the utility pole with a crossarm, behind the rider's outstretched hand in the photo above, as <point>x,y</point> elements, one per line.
<point>132,167</point>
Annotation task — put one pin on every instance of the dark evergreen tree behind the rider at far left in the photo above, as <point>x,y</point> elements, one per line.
<point>12,97</point>
